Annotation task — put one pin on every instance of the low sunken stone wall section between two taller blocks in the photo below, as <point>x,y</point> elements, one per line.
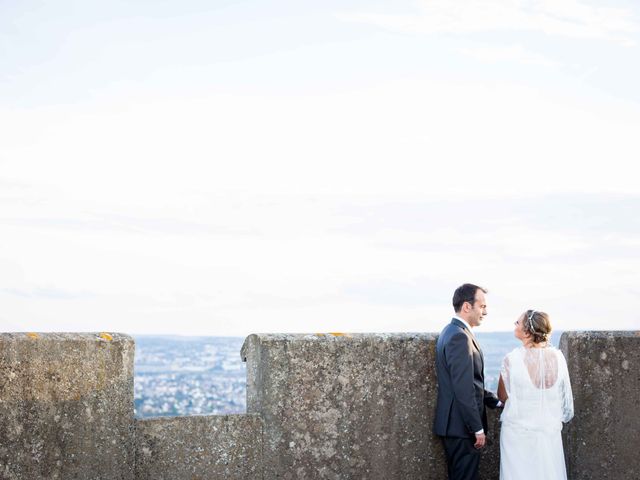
<point>200,447</point>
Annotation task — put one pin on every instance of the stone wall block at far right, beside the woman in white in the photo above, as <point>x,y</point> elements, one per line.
<point>602,440</point>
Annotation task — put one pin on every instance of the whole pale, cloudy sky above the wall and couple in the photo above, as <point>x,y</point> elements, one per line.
<point>231,167</point>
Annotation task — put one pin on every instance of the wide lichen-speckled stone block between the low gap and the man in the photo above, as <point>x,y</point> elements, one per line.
<point>345,407</point>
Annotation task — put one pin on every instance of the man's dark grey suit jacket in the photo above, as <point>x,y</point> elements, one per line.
<point>460,410</point>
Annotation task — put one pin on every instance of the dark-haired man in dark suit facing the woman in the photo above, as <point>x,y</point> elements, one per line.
<point>461,420</point>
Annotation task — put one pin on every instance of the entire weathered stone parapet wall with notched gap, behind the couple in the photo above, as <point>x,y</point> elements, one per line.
<point>320,407</point>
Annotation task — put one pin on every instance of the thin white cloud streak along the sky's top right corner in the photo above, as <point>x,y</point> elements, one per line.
<point>565,18</point>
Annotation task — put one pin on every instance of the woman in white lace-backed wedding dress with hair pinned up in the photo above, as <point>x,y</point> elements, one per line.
<point>534,386</point>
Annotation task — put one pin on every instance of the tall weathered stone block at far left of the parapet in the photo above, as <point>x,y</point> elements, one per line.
<point>66,406</point>
